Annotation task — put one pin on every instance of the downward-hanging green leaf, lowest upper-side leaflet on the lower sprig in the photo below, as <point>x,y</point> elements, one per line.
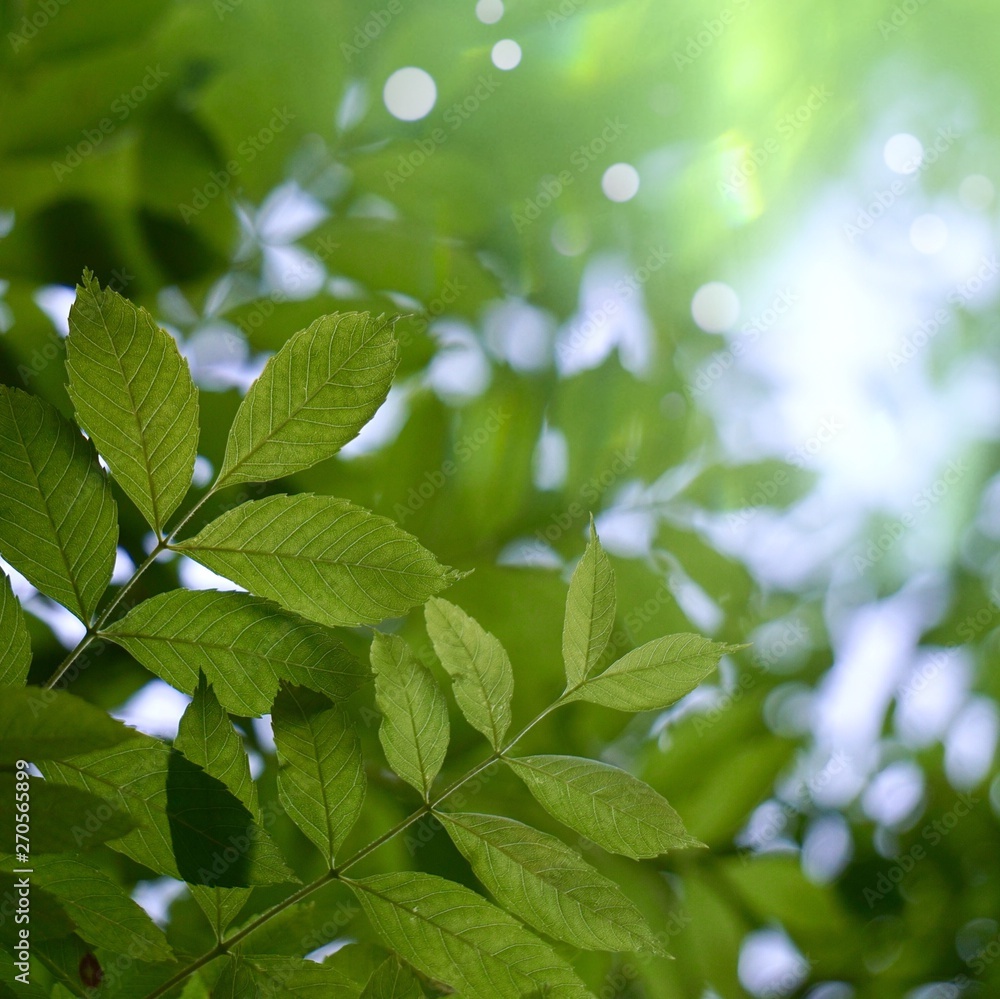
<point>321,780</point>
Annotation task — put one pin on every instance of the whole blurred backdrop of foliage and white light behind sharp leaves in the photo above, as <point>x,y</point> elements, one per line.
<point>723,277</point>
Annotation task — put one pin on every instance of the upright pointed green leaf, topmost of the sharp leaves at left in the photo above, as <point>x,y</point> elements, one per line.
<point>134,397</point>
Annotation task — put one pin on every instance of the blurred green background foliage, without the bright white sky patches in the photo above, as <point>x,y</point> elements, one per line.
<point>141,140</point>
